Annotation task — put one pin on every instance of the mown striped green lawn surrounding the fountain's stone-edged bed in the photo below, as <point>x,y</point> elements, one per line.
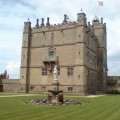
<point>101,108</point>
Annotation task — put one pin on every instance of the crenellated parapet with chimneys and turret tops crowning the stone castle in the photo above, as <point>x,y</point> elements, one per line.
<point>66,24</point>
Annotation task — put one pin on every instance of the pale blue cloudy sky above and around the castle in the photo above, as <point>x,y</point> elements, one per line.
<point>13,14</point>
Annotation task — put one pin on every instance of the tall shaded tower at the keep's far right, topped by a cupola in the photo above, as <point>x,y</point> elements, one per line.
<point>100,32</point>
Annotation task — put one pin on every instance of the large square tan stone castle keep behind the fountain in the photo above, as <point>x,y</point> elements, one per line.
<point>78,49</point>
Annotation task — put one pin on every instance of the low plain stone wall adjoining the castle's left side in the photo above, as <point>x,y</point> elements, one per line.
<point>10,85</point>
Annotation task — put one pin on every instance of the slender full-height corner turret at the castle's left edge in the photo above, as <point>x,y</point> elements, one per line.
<point>25,55</point>
